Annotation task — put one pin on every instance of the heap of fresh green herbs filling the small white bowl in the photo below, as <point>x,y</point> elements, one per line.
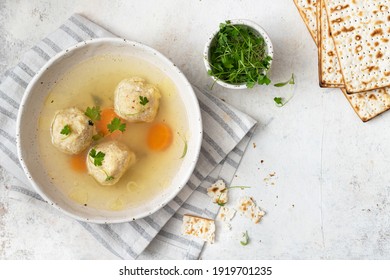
<point>238,56</point>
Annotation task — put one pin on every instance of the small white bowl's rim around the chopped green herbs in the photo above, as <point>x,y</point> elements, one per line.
<point>257,28</point>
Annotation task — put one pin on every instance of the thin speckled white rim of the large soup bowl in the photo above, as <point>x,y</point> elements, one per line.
<point>198,136</point>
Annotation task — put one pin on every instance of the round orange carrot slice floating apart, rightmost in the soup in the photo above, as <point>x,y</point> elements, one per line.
<point>159,137</point>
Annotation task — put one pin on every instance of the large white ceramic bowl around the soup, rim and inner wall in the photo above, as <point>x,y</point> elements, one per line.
<point>32,103</point>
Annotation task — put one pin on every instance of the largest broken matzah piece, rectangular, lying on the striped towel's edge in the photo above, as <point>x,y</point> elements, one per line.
<point>199,227</point>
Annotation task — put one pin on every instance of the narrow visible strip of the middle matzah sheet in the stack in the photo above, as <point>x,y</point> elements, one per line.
<point>328,64</point>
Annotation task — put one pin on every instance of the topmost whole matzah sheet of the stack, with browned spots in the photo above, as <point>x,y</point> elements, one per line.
<point>361,33</point>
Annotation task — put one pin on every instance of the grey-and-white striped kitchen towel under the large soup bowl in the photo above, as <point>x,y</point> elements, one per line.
<point>227,133</point>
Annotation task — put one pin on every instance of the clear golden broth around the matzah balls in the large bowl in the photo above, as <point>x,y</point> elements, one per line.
<point>92,83</point>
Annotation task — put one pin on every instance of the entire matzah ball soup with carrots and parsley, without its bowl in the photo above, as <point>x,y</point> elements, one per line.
<point>111,132</point>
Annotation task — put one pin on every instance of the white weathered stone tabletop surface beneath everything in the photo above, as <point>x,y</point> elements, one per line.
<point>330,196</point>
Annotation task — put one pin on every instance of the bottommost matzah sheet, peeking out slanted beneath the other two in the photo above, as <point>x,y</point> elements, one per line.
<point>365,107</point>
